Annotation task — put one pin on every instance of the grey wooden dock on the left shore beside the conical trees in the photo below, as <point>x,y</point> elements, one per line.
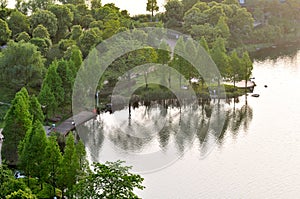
<point>70,124</point>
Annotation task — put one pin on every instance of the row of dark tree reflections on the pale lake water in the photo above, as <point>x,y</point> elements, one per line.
<point>164,124</point>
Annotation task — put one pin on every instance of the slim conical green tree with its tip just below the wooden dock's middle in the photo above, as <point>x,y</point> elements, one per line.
<point>69,166</point>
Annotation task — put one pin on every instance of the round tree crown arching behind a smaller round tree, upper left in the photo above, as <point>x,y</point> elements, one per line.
<point>45,18</point>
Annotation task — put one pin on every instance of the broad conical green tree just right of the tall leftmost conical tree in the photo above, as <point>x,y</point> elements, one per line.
<point>32,152</point>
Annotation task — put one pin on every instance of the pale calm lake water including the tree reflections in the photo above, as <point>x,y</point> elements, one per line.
<point>257,155</point>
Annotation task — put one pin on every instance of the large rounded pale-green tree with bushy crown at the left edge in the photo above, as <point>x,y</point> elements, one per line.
<point>26,71</point>
